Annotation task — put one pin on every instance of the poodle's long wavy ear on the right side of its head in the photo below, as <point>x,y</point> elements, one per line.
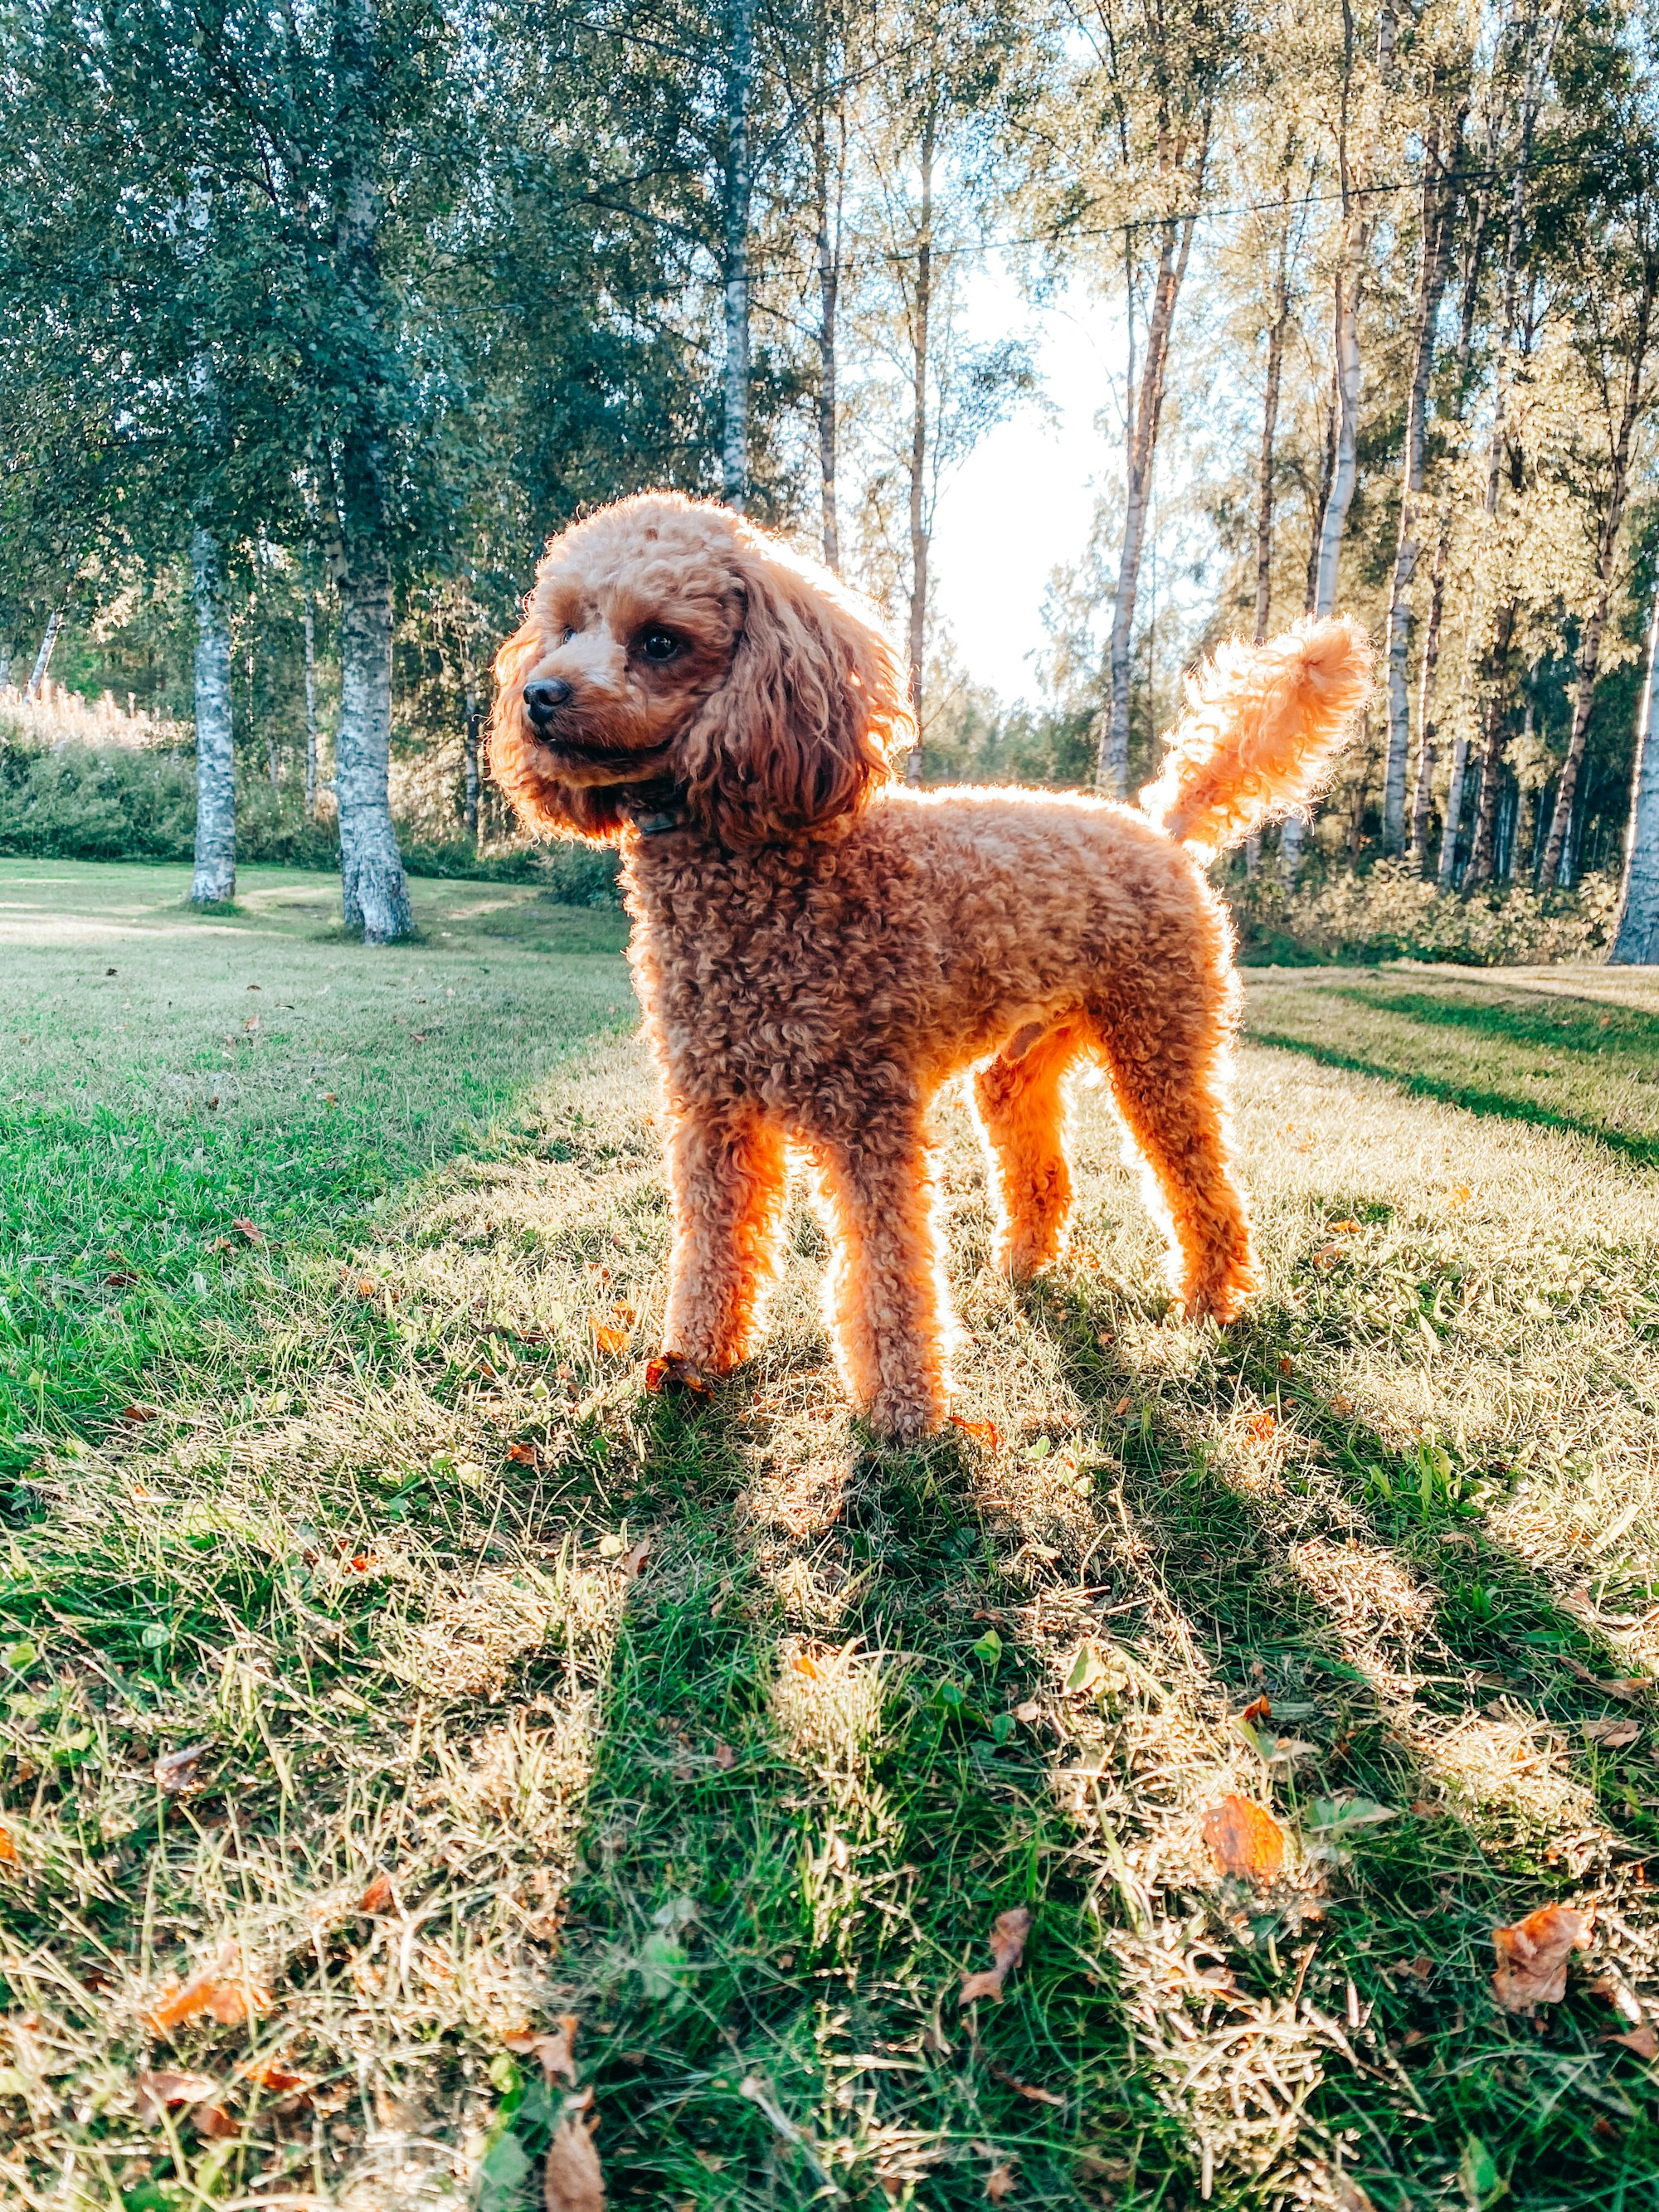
<point>802,727</point>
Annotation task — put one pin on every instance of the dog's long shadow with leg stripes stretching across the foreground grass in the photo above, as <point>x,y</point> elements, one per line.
<point>797,1841</point>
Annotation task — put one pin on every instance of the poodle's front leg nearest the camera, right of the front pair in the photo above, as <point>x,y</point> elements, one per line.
<point>888,1302</point>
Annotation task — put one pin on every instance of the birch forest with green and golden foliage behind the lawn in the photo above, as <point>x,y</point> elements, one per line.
<point>317,320</point>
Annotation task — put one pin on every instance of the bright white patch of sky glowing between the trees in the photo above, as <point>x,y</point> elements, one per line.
<point>1023,501</point>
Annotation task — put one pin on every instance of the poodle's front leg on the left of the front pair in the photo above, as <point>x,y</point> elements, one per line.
<point>727,1178</point>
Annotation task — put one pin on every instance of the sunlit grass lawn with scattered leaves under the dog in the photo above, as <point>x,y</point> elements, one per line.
<point>390,1678</point>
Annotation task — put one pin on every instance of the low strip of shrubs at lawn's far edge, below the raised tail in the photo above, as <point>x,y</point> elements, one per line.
<point>1395,915</point>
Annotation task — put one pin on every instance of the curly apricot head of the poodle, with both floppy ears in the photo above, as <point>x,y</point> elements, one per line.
<point>674,645</point>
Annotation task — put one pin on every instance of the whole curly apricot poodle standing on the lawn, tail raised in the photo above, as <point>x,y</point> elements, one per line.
<point>820,948</point>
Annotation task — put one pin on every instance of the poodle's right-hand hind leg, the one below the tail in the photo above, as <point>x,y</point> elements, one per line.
<point>1167,1047</point>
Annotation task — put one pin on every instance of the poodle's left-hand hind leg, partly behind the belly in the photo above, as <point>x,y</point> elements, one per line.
<point>1021,1109</point>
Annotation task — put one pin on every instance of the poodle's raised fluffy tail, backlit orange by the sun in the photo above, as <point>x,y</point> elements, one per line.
<point>1262,727</point>
